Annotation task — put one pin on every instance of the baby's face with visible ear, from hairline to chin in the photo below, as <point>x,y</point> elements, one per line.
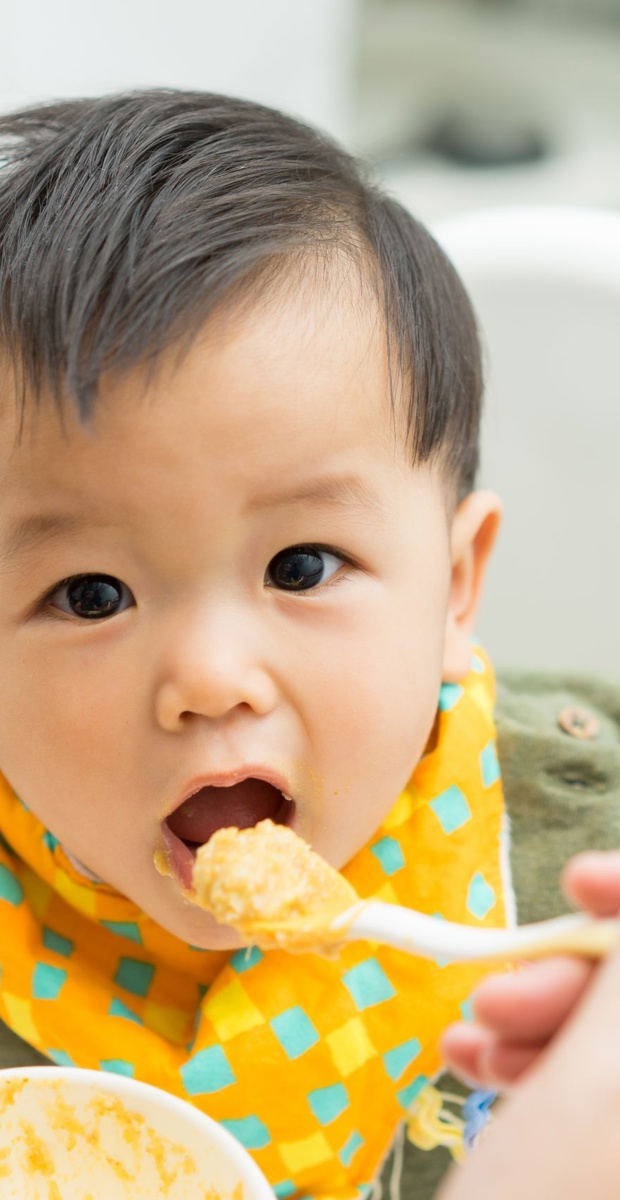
<point>232,598</point>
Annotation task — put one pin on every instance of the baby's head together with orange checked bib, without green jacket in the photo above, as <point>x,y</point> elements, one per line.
<point>242,555</point>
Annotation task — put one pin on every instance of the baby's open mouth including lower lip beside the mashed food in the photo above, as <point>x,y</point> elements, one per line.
<point>242,805</point>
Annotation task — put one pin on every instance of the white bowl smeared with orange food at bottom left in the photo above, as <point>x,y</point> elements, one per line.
<point>71,1135</point>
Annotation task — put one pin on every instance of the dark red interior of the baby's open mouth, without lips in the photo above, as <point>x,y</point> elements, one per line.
<point>244,806</point>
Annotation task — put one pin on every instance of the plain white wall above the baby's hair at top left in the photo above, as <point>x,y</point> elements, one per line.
<point>294,55</point>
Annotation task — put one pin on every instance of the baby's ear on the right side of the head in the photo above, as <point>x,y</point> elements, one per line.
<point>474,530</point>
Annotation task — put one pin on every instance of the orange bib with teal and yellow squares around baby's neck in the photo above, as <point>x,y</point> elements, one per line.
<point>312,1064</point>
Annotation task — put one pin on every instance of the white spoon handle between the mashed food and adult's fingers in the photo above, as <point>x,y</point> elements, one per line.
<point>431,938</point>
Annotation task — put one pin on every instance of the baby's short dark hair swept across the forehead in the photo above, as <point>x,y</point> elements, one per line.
<point>127,220</point>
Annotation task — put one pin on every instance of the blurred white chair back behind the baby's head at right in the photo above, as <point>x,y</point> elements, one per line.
<point>546,286</point>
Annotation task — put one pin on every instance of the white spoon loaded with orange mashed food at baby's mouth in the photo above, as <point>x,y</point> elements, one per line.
<point>281,895</point>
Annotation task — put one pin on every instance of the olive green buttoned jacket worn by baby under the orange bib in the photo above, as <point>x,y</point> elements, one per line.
<point>559,748</point>
